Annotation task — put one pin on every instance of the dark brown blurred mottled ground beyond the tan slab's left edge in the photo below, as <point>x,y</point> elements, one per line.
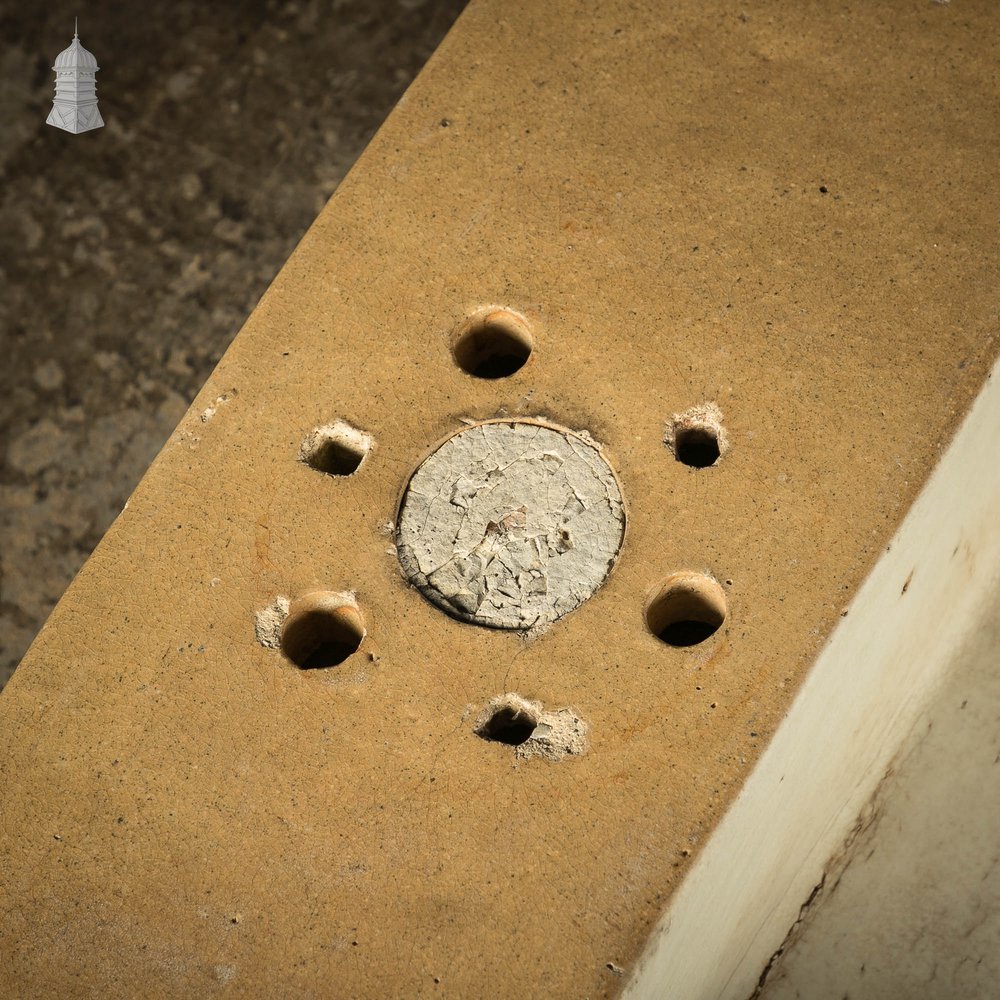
<point>130,256</point>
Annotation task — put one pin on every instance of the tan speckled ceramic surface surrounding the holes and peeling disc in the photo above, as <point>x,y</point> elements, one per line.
<point>184,813</point>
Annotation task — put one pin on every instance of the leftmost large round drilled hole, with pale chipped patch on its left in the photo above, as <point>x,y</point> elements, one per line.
<point>321,631</point>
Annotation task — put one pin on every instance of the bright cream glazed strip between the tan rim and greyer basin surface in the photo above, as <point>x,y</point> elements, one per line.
<point>854,712</point>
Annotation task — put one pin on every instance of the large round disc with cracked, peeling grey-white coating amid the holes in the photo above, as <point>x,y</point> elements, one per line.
<point>511,523</point>
